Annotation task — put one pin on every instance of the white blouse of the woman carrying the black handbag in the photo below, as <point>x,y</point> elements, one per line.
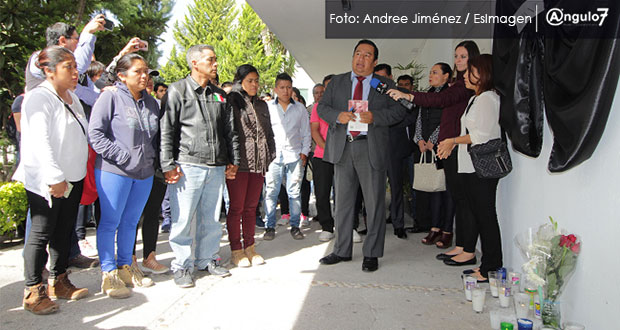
<point>482,122</point>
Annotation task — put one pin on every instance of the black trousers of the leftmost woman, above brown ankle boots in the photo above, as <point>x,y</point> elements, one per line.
<point>51,226</point>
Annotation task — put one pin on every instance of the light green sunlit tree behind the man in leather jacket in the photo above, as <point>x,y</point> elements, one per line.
<point>237,39</point>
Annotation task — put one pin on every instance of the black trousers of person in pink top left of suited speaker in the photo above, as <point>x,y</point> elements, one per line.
<point>323,177</point>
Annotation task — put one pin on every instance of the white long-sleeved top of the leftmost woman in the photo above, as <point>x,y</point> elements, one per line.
<point>53,145</point>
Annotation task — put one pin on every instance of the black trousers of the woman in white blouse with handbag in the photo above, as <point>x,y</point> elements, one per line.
<point>481,195</point>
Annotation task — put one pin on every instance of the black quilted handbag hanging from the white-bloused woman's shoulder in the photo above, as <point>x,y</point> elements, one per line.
<point>491,160</point>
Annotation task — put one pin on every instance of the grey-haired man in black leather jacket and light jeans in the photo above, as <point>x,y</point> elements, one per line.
<point>199,150</point>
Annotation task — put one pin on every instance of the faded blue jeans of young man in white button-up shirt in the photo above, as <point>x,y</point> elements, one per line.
<point>273,179</point>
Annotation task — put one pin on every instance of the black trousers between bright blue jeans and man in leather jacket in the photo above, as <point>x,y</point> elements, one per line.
<point>150,218</point>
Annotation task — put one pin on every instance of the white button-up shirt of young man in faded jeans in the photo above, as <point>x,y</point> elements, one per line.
<point>291,130</point>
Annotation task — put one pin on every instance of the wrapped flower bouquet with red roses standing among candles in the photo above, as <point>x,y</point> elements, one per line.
<point>552,257</point>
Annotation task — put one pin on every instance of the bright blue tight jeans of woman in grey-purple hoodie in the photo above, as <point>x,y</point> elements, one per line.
<point>122,200</point>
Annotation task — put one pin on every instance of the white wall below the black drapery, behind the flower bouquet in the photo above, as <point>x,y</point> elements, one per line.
<point>584,201</point>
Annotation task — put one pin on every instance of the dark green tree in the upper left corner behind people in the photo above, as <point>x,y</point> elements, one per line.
<point>23,24</point>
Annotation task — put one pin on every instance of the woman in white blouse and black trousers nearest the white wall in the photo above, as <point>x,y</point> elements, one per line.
<point>479,124</point>
